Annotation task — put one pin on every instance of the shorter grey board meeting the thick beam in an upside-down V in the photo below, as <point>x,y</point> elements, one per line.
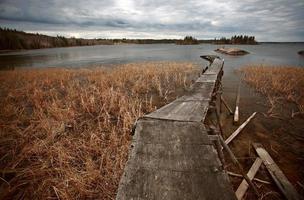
<point>251,173</point>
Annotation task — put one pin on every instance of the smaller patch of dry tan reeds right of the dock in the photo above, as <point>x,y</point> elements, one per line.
<point>277,82</point>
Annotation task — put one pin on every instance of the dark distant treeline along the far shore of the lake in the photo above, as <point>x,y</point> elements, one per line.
<point>11,39</point>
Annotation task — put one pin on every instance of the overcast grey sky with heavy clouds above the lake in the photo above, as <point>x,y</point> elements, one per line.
<point>268,20</point>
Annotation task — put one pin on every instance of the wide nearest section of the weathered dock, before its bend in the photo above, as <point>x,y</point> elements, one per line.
<point>182,166</point>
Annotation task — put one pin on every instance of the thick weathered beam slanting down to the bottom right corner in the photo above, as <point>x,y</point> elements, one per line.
<point>278,176</point>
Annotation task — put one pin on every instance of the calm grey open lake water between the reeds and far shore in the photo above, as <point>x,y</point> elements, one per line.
<point>283,54</point>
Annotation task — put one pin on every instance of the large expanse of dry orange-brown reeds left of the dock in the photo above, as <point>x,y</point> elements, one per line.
<point>65,134</point>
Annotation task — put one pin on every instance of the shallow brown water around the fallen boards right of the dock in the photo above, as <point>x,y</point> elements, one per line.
<point>273,126</point>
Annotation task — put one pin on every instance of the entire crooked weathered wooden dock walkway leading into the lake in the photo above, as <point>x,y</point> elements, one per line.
<point>172,156</point>
